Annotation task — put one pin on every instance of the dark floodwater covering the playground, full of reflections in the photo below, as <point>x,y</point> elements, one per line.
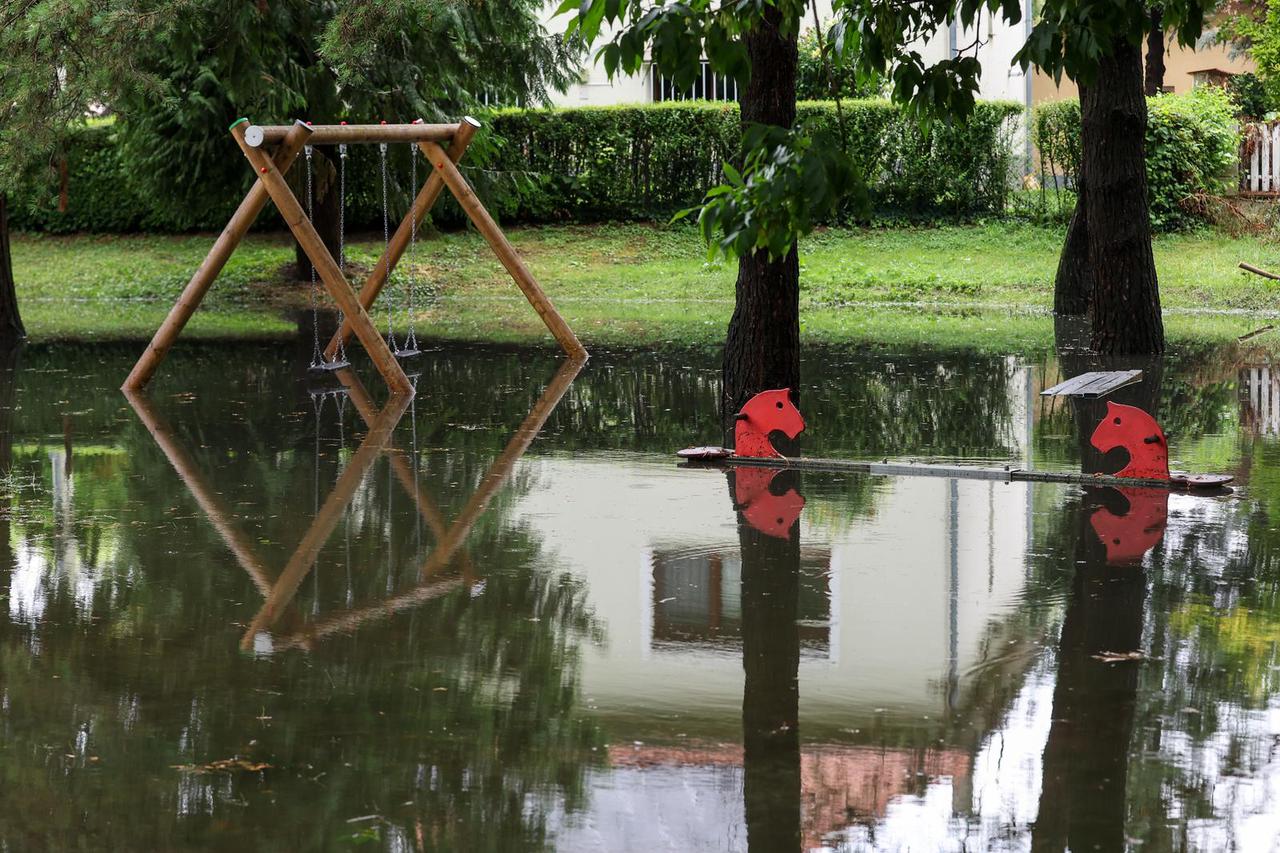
<point>250,612</point>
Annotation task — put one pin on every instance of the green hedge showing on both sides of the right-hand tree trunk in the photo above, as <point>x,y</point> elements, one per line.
<point>1192,150</point>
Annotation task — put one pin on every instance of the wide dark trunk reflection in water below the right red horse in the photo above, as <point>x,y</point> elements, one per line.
<point>1086,758</point>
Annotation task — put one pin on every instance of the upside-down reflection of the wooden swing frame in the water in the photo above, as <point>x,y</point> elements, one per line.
<point>450,539</point>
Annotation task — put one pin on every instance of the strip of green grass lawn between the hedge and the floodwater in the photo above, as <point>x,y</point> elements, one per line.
<point>986,286</point>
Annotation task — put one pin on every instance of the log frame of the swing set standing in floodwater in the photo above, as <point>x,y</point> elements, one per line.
<point>271,152</point>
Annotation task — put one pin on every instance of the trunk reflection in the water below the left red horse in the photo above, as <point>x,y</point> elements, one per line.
<point>771,695</point>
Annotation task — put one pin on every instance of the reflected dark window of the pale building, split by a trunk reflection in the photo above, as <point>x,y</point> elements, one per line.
<point>697,600</point>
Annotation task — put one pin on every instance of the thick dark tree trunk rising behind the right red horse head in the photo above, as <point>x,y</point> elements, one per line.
<point>1126,294</point>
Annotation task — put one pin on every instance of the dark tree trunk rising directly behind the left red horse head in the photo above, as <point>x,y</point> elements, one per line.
<point>762,349</point>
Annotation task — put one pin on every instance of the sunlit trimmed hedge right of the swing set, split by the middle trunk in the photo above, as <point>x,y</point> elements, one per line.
<point>650,162</point>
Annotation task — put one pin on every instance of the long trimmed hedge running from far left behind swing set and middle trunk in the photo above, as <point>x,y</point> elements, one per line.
<point>591,165</point>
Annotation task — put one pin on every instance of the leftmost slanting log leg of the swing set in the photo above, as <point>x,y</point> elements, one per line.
<point>232,235</point>
